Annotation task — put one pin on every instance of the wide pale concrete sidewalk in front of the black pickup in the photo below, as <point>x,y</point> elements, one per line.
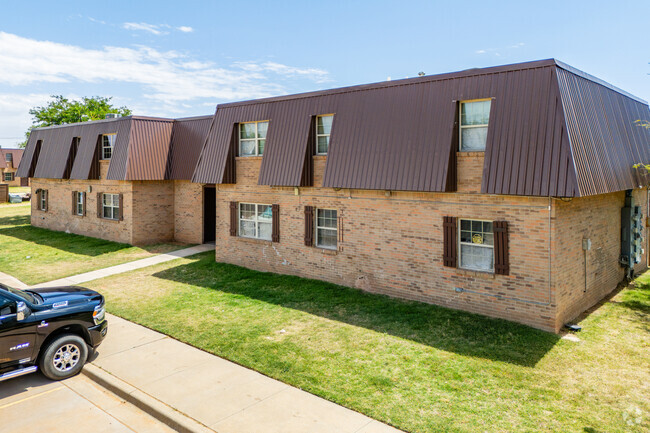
<point>217,393</point>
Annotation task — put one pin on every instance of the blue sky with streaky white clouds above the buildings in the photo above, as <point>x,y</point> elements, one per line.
<point>178,59</point>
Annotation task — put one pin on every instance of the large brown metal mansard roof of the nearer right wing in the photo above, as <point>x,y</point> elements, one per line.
<point>554,131</point>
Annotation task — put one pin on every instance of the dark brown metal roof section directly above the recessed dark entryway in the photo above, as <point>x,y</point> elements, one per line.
<point>188,137</point>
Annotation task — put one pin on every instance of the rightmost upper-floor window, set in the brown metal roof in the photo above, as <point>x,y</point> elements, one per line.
<point>474,119</point>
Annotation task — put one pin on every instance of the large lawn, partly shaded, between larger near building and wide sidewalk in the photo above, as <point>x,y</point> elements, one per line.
<point>418,367</point>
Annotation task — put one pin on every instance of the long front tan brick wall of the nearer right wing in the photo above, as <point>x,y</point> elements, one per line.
<point>393,245</point>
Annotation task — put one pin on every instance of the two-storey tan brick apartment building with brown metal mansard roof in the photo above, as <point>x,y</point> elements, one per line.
<point>501,191</point>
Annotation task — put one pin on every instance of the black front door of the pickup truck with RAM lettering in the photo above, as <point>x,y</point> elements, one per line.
<point>16,338</point>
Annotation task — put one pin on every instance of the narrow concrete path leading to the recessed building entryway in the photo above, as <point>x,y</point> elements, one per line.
<point>125,267</point>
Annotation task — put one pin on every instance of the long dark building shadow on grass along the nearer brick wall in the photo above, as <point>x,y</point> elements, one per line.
<point>445,329</point>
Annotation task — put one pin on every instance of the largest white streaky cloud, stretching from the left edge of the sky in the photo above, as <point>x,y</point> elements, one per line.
<point>165,76</point>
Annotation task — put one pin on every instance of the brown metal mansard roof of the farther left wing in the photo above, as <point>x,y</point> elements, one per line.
<point>142,150</point>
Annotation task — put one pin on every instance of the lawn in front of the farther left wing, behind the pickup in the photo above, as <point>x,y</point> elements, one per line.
<point>35,255</point>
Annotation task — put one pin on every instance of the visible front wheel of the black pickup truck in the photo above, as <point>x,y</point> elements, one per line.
<point>64,357</point>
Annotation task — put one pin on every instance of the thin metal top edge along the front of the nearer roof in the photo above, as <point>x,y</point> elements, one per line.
<point>401,82</point>
